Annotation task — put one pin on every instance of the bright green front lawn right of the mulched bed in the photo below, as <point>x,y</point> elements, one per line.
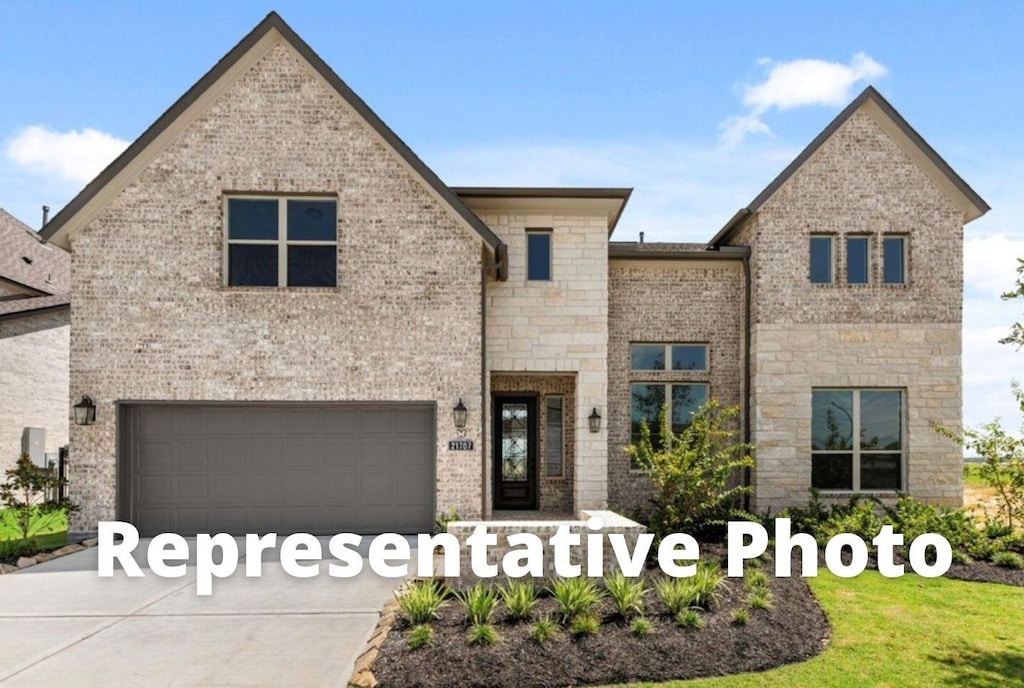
<point>906,632</point>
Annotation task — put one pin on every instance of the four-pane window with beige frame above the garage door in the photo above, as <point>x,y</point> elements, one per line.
<point>282,242</point>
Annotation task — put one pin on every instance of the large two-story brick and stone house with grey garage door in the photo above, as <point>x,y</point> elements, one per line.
<point>285,317</point>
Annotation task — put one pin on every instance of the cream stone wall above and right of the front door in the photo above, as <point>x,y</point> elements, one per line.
<point>559,327</point>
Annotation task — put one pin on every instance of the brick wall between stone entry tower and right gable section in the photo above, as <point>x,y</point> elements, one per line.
<point>699,303</point>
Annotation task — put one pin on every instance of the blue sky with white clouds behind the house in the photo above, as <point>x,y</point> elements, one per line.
<point>698,106</point>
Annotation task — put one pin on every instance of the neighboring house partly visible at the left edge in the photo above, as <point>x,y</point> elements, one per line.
<point>35,279</point>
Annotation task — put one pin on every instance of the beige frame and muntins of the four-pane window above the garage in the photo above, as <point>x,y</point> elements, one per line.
<point>281,242</point>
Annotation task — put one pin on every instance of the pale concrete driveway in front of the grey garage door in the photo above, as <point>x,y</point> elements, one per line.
<point>63,625</point>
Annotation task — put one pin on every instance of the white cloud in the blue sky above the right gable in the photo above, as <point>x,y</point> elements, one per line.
<point>796,84</point>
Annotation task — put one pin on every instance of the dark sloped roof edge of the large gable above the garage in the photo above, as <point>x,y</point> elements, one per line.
<point>58,228</point>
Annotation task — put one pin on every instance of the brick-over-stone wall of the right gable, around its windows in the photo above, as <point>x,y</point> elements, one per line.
<point>875,335</point>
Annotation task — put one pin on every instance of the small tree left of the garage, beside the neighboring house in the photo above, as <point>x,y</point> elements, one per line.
<point>25,497</point>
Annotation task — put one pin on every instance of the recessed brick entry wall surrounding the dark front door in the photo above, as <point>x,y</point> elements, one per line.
<point>557,492</point>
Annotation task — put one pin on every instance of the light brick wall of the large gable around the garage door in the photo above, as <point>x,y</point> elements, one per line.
<point>151,320</point>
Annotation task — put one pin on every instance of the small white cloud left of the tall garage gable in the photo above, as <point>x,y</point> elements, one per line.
<point>70,156</point>
